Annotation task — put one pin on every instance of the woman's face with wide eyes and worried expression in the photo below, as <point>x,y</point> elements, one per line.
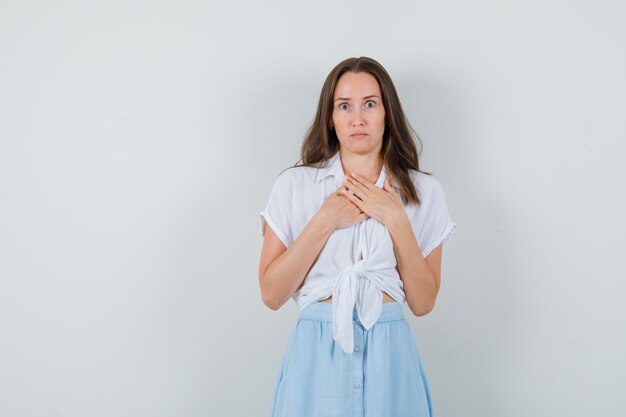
<point>358,113</point>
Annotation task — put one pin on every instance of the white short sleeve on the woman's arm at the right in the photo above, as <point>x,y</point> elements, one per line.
<point>431,221</point>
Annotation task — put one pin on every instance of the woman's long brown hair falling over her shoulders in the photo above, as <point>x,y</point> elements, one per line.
<point>398,152</point>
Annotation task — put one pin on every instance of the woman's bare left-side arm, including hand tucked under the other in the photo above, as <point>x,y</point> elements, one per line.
<point>282,269</point>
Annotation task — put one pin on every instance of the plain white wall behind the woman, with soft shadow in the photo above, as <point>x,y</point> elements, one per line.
<point>140,139</point>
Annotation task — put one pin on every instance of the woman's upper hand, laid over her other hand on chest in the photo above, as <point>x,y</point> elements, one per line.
<point>382,204</point>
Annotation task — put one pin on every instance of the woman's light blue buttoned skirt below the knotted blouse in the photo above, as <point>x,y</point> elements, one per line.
<point>383,377</point>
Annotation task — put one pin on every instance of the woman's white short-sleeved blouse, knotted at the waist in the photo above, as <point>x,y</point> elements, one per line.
<point>357,263</point>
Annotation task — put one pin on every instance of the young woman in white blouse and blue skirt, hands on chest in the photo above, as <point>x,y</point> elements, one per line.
<point>351,234</point>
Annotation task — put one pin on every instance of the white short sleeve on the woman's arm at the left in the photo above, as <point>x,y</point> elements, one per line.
<point>277,212</point>
